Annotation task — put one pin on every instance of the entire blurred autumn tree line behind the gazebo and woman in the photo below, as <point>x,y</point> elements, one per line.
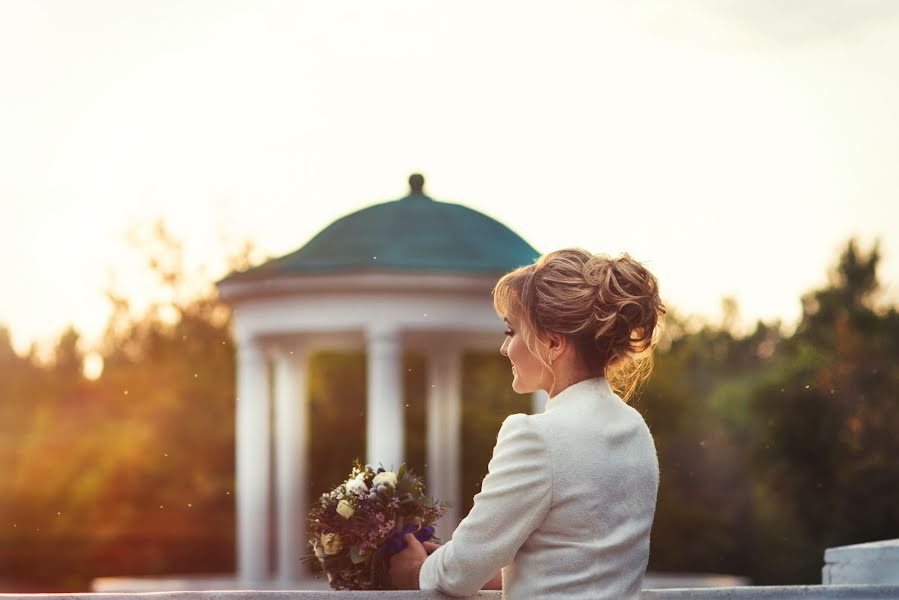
<point>772,446</point>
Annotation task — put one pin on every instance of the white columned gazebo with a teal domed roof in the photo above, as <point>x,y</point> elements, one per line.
<point>412,273</point>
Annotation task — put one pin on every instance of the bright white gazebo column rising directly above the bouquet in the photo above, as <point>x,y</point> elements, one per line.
<point>385,427</point>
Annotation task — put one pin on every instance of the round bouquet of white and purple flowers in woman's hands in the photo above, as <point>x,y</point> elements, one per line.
<point>360,524</point>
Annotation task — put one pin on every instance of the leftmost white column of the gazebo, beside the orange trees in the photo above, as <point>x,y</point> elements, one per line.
<point>253,437</point>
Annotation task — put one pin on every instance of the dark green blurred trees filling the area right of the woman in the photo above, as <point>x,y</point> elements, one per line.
<point>774,448</point>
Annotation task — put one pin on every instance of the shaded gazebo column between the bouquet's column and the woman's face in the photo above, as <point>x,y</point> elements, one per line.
<point>444,455</point>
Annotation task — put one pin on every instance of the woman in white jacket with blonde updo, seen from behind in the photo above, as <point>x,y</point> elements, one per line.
<point>568,501</point>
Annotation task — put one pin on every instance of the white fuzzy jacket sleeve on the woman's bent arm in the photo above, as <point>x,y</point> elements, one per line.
<point>514,499</point>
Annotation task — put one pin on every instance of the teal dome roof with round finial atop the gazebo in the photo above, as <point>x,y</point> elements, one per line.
<point>415,233</point>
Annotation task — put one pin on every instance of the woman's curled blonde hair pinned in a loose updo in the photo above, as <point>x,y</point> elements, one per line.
<point>608,307</point>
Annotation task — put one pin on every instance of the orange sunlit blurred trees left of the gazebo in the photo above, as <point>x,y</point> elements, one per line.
<point>132,473</point>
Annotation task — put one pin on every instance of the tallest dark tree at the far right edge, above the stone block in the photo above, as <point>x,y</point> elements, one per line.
<point>827,418</point>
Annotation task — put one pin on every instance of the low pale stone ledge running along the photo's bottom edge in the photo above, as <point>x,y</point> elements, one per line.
<point>836,592</point>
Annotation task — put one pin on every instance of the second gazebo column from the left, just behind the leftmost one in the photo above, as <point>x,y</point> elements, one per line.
<point>291,459</point>
